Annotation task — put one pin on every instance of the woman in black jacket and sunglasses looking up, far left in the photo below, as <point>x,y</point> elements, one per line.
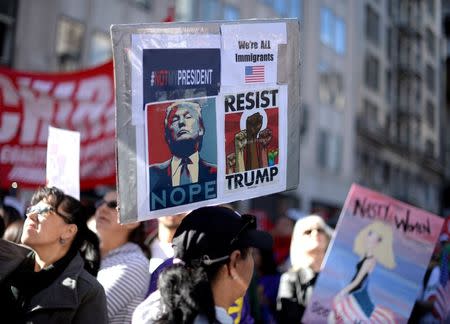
<point>50,283</point>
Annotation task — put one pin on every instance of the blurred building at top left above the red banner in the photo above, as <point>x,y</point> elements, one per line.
<point>64,35</point>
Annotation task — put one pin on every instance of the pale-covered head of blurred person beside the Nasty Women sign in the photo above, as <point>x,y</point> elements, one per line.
<point>310,238</point>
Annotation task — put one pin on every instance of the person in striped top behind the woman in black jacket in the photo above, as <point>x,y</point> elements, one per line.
<point>124,266</point>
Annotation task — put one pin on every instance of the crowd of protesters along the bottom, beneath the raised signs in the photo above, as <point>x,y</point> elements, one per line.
<point>61,262</point>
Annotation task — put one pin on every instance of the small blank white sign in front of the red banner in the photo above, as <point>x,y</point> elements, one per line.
<point>63,161</point>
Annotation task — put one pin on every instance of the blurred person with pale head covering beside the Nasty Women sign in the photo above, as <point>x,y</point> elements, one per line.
<point>310,240</point>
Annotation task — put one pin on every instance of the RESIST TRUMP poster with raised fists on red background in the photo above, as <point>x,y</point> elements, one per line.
<point>255,140</point>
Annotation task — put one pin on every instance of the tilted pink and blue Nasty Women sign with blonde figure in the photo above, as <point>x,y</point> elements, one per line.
<point>374,267</point>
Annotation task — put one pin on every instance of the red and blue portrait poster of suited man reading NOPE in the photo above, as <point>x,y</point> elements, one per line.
<point>182,152</point>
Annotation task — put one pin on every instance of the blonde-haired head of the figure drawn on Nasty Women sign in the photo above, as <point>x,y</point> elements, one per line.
<point>376,239</point>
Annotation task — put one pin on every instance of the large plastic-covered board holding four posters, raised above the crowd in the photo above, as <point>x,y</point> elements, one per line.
<point>206,113</point>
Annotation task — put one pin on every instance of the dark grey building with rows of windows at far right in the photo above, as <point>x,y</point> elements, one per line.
<point>398,146</point>
